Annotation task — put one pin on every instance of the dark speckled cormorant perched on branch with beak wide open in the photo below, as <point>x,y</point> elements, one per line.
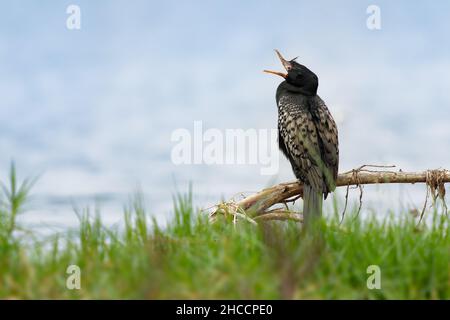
<point>307,135</point>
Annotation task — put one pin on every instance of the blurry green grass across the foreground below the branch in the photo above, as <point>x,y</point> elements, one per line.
<point>192,258</point>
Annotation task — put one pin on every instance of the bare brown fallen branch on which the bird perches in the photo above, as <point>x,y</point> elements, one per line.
<point>257,204</point>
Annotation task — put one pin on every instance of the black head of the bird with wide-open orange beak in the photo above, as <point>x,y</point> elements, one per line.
<point>298,76</point>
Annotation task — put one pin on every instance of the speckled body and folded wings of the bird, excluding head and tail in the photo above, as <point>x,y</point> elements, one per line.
<point>308,137</point>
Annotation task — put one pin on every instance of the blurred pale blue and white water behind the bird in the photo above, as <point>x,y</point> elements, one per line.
<point>92,111</point>
